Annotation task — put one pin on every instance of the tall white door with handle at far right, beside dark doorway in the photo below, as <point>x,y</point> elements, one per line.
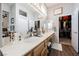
<point>75,27</point>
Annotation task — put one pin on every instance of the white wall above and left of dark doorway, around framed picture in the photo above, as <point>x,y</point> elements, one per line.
<point>67,10</point>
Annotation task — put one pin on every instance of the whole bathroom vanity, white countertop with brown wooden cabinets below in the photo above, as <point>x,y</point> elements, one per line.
<point>32,46</point>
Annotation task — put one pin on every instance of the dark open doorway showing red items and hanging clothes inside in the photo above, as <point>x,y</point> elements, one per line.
<point>65,29</point>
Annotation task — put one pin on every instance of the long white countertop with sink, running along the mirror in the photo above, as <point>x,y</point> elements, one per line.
<point>22,47</point>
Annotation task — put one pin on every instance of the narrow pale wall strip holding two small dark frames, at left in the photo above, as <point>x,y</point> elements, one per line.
<point>12,15</point>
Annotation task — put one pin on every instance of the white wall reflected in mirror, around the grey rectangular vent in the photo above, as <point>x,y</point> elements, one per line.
<point>21,24</point>
